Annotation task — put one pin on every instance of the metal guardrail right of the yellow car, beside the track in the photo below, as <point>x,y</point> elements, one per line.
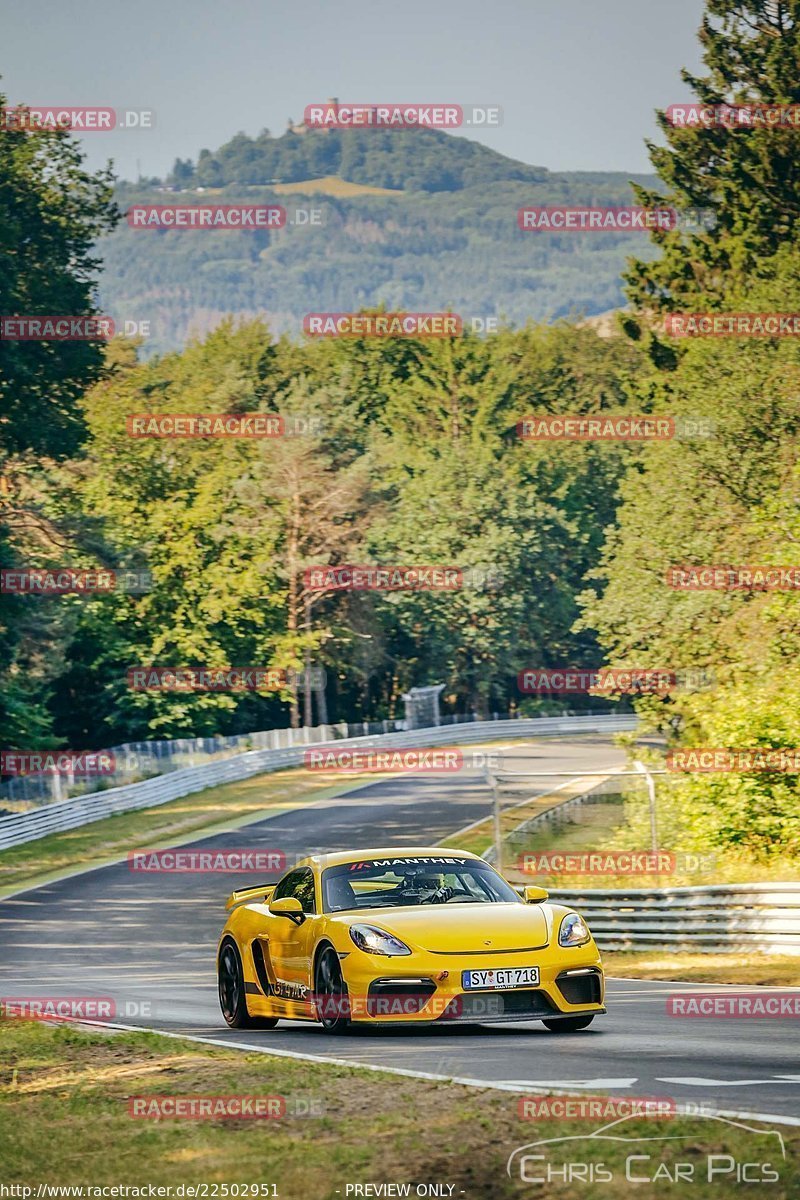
<point>725,919</point>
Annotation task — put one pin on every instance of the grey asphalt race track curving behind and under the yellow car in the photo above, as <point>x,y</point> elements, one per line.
<point>149,941</point>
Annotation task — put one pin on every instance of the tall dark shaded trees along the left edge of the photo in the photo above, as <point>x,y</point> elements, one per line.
<point>52,212</point>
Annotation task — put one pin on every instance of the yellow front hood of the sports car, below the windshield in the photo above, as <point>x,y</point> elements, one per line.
<point>464,929</point>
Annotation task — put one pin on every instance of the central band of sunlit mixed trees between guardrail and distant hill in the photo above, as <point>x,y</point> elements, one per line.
<point>414,461</point>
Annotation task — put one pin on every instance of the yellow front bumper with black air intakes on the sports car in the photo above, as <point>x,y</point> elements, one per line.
<point>570,985</point>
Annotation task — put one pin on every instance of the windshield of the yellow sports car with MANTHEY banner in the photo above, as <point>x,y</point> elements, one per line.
<point>402,883</point>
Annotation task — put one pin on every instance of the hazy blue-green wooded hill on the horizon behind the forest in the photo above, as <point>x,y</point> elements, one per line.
<point>440,231</point>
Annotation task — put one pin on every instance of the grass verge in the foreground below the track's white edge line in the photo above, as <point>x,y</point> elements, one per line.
<point>372,1129</point>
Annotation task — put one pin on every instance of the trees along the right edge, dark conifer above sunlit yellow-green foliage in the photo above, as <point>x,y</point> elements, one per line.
<point>727,499</point>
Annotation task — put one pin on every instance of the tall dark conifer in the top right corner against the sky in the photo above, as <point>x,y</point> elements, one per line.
<point>749,178</point>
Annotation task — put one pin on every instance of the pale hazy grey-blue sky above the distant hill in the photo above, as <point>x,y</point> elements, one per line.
<point>578,80</point>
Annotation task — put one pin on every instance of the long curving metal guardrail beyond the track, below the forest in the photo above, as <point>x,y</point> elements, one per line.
<point>22,827</point>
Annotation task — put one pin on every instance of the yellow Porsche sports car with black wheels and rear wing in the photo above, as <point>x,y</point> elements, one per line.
<point>405,935</point>
